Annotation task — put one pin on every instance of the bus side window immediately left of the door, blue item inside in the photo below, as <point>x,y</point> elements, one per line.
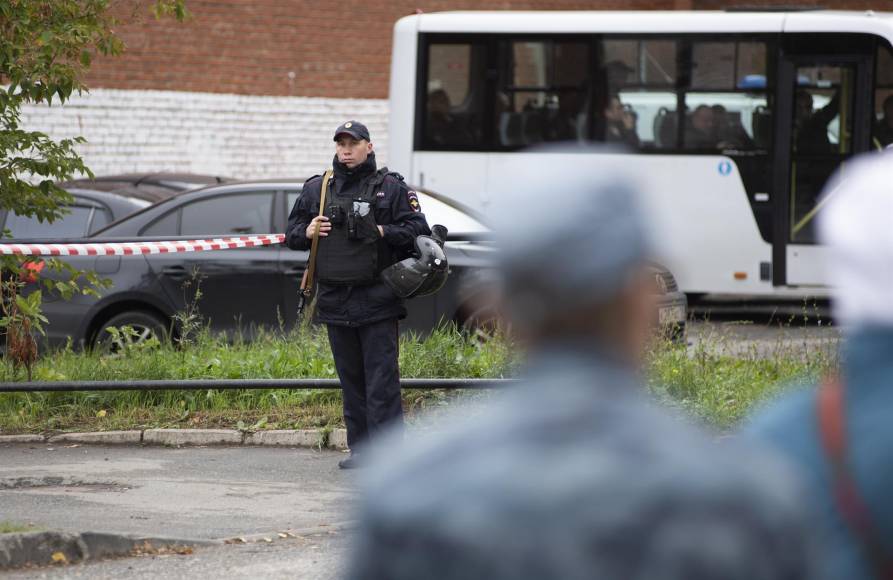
<point>726,105</point>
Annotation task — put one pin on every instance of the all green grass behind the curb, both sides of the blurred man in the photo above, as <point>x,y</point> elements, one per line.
<point>715,381</point>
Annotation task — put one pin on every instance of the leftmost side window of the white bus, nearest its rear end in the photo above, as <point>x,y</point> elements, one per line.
<point>453,108</point>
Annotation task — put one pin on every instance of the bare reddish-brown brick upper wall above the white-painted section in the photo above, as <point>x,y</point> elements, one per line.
<point>313,48</point>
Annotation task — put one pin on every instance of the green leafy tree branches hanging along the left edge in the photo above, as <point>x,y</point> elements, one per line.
<point>46,47</point>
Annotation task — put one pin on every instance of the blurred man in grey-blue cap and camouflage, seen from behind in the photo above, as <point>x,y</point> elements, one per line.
<point>574,474</point>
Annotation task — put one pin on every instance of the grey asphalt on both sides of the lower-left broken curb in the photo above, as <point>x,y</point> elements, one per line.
<point>189,493</point>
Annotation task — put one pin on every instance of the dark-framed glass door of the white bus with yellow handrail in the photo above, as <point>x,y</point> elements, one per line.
<point>823,118</point>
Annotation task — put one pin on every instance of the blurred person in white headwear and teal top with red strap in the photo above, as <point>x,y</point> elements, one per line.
<point>840,435</point>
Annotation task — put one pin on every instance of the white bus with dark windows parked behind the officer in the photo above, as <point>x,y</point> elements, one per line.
<point>734,120</point>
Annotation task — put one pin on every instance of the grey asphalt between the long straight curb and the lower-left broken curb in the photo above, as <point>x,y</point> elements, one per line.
<point>205,493</point>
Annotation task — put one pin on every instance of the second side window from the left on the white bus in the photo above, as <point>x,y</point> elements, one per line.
<point>543,92</point>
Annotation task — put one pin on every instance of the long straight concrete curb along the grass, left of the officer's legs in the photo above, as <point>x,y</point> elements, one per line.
<point>313,438</point>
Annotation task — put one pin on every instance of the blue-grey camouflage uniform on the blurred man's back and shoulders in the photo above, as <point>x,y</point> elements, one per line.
<point>577,476</point>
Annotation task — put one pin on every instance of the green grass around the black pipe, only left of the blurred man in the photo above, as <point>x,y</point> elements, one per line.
<point>445,353</point>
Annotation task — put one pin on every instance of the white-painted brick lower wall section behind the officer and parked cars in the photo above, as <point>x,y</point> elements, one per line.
<point>241,136</point>
